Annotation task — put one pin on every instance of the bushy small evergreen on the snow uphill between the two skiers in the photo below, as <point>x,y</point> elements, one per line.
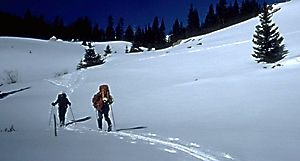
<point>91,58</point>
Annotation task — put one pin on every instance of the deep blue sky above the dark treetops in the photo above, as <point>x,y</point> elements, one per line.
<point>134,12</point>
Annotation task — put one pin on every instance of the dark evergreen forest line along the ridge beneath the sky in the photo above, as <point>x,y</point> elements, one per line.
<point>151,36</point>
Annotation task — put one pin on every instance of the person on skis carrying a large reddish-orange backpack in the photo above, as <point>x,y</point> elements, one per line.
<point>101,102</point>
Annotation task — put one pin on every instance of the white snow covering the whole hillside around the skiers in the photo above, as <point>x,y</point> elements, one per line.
<point>209,102</point>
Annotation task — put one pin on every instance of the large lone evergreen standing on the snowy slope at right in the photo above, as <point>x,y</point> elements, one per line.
<point>268,46</point>
